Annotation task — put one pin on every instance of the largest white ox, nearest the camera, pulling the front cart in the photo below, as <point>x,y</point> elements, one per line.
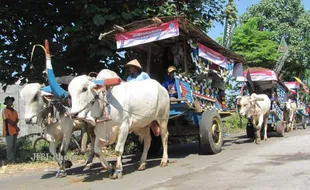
<point>134,107</point>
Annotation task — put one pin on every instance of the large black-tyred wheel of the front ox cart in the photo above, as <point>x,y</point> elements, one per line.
<point>211,132</point>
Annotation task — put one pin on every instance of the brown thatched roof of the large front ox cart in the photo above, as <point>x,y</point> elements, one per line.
<point>186,28</point>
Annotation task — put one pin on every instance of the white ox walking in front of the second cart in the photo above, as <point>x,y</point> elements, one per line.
<point>256,107</point>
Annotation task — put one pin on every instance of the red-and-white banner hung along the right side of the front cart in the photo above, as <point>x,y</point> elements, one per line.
<point>212,56</point>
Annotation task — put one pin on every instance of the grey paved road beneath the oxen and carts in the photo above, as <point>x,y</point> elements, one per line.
<point>279,163</point>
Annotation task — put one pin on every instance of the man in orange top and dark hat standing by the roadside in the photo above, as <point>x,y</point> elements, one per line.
<point>10,128</point>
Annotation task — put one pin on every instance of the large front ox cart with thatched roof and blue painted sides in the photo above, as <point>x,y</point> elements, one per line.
<point>203,67</point>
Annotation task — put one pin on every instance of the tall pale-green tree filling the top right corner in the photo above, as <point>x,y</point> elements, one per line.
<point>286,18</point>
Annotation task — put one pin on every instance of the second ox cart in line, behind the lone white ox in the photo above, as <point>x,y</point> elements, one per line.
<point>264,81</point>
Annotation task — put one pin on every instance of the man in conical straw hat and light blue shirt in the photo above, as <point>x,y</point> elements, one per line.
<point>136,73</point>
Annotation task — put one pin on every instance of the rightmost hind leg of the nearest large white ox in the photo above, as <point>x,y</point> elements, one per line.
<point>164,137</point>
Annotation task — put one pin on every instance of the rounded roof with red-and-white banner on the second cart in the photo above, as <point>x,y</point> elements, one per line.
<point>259,74</point>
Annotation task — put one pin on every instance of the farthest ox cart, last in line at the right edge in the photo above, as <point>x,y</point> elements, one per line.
<point>301,113</point>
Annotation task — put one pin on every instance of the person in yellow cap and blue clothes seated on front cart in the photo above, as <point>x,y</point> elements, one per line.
<point>169,82</point>
